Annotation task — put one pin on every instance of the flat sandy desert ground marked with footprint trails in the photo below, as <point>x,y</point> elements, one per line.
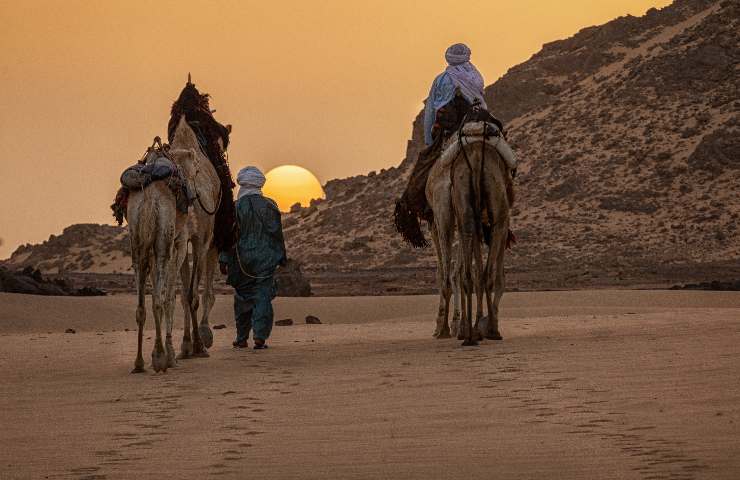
<point>592,384</point>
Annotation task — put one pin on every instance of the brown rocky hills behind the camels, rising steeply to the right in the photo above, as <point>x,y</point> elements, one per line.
<point>628,135</point>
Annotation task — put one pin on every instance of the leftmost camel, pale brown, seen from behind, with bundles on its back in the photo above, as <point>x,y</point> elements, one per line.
<point>155,231</point>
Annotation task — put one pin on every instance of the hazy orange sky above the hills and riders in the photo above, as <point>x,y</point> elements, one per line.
<point>332,86</point>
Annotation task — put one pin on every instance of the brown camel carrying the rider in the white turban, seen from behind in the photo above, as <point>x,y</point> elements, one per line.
<point>469,185</point>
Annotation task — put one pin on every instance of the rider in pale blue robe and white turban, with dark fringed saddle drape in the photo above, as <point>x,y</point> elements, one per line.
<point>456,96</point>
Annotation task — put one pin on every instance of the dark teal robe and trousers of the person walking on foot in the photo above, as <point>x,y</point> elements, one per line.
<point>252,263</point>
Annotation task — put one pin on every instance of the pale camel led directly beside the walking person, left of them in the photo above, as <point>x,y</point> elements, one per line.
<point>198,231</point>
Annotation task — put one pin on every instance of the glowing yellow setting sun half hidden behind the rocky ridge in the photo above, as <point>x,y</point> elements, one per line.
<point>290,184</point>
